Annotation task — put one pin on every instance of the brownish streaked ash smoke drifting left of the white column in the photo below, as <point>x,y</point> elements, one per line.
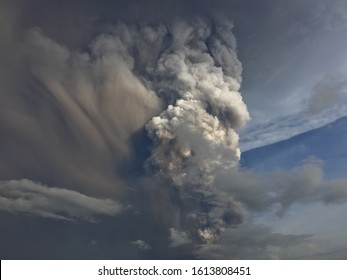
<point>70,115</point>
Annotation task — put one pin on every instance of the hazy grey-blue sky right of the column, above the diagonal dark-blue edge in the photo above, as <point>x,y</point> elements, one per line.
<point>294,66</point>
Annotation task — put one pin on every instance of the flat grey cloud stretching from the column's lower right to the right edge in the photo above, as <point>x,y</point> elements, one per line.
<point>261,192</point>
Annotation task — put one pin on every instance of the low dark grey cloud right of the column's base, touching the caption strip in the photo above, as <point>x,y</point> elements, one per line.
<point>250,241</point>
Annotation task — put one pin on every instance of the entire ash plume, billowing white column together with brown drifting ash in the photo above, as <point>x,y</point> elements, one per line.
<point>72,111</point>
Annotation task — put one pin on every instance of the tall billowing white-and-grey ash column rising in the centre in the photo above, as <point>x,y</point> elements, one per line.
<point>198,74</point>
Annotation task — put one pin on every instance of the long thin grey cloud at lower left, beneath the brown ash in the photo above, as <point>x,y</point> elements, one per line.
<point>51,202</point>
